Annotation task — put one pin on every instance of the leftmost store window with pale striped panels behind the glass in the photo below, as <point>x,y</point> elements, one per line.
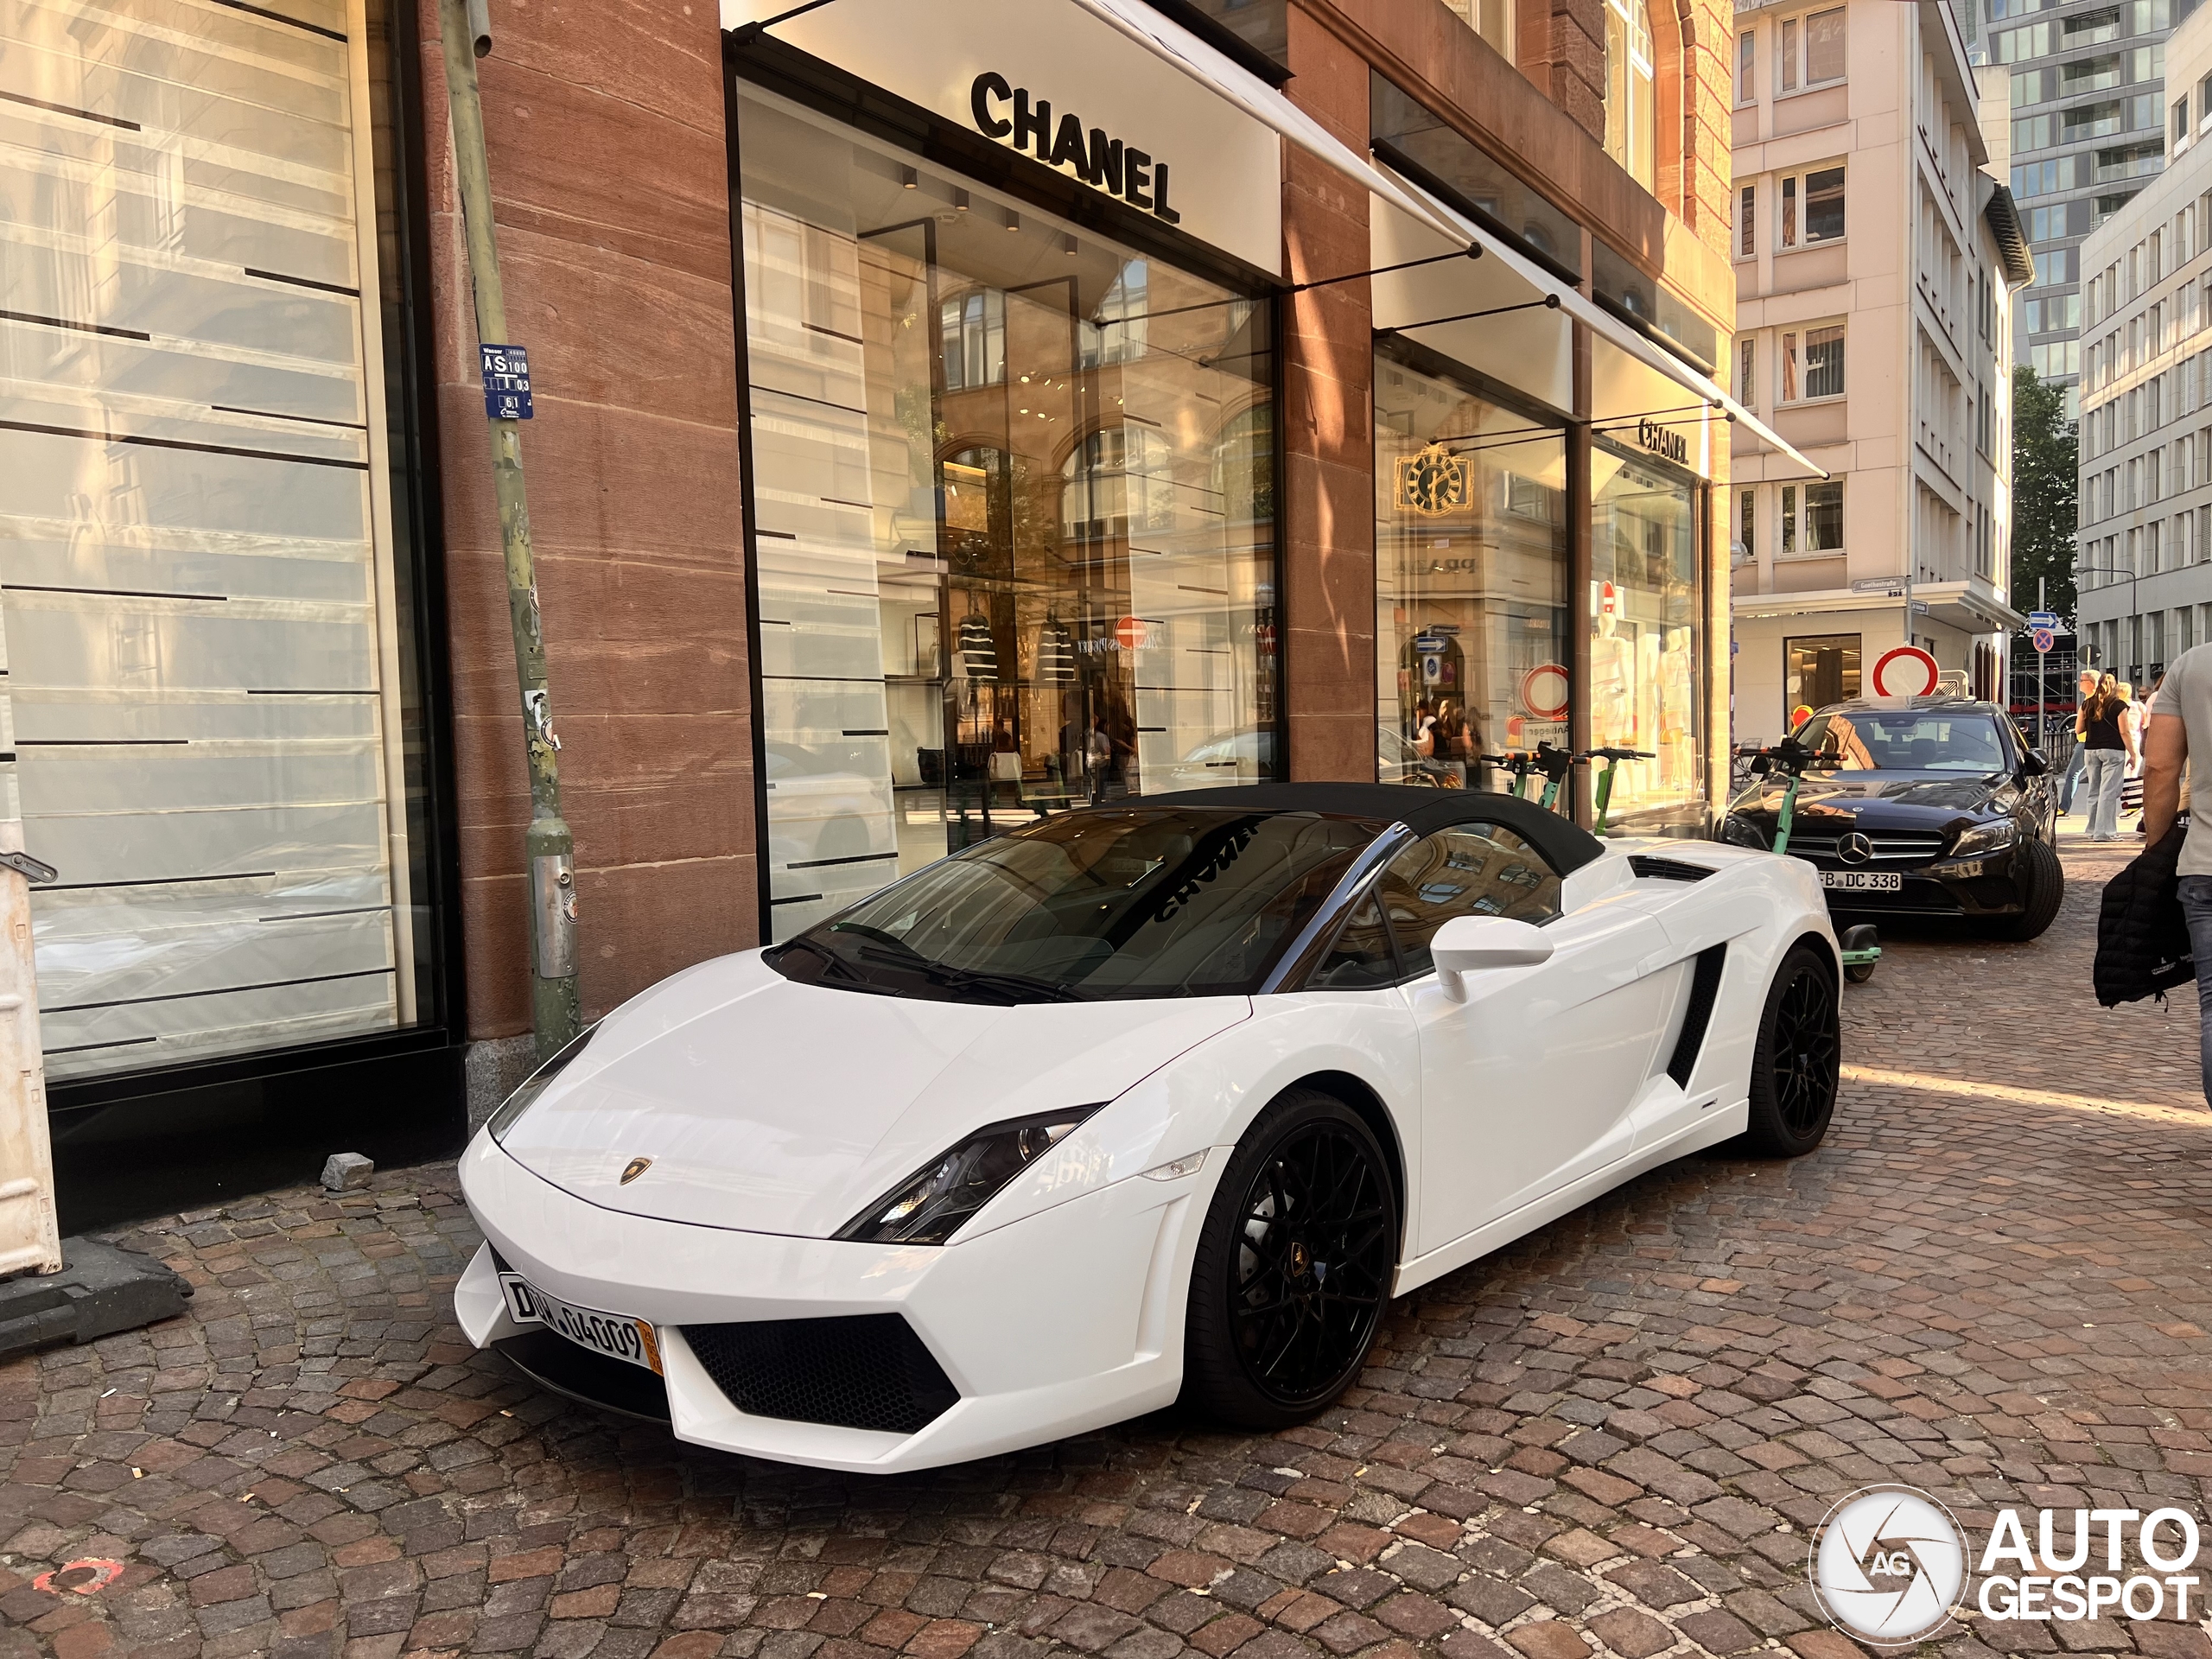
<point>205,532</point>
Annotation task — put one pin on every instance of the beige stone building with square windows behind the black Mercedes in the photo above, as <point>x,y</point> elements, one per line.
<point>1877,251</point>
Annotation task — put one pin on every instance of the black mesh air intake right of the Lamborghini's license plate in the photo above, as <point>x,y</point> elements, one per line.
<point>862,1373</point>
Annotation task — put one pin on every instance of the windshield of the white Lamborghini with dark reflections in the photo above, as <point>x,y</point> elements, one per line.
<point>1089,906</point>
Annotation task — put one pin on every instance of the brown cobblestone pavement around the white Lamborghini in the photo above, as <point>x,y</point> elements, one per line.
<point>1611,1437</point>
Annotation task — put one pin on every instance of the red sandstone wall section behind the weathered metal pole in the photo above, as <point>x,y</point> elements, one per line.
<point>609,176</point>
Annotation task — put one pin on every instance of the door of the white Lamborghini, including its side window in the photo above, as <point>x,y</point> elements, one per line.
<point>1527,1083</point>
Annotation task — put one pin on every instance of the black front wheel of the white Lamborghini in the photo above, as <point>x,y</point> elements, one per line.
<point>1280,1317</point>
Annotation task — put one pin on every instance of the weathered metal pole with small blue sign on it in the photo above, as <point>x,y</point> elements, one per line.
<point>547,844</point>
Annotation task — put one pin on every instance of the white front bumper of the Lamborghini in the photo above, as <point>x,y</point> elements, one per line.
<point>1050,1326</point>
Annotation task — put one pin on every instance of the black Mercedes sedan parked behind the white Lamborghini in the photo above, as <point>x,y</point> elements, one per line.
<point>1919,806</point>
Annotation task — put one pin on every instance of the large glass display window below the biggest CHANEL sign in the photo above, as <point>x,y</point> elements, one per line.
<point>1016,514</point>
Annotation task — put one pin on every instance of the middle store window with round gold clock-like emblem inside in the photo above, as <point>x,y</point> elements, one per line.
<point>1472,649</point>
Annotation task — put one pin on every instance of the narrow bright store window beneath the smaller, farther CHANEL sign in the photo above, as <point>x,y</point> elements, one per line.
<point>1647,614</point>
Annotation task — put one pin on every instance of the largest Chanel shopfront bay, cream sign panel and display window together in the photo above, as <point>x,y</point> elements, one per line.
<point>1012,432</point>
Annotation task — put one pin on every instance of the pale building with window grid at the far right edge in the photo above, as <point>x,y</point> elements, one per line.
<point>2145,543</point>
